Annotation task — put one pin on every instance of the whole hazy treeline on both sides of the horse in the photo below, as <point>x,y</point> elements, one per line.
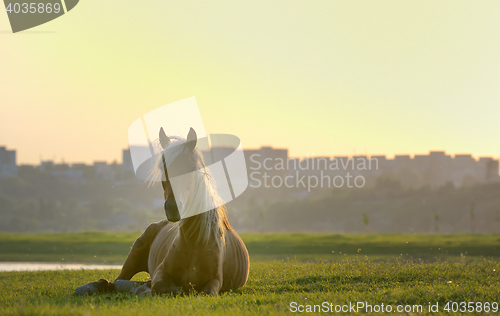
<point>36,201</point>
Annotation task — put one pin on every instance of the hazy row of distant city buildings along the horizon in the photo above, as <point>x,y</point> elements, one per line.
<point>437,168</point>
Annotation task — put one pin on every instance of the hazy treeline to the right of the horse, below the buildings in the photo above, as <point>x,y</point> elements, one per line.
<point>386,206</point>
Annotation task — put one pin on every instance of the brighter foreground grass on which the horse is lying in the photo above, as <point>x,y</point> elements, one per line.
<point>270,289</point>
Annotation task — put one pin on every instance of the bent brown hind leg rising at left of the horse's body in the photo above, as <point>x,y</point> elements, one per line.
<point>137,259</point>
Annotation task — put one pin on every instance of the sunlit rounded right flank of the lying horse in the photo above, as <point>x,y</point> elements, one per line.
<point>236,263</point>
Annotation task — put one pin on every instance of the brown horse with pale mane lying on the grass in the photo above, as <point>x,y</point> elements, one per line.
<point>195,254</point>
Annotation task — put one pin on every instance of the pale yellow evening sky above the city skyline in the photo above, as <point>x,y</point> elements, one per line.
<point>321,78</point>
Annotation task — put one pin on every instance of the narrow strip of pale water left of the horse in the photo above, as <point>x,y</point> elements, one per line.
<point>39,266</point>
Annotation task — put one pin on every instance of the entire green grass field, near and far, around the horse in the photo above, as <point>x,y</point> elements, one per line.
<point>377,269</point>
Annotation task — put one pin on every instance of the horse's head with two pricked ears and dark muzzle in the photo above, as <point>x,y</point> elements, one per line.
<point>184,163</point>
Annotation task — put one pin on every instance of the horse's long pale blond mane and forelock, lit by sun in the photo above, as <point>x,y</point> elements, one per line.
<point>203,194</point>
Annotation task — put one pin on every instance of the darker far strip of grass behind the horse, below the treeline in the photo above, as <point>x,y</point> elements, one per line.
<point>112,248</point>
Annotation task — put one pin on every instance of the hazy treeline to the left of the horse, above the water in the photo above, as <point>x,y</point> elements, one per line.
<point>37,201</point>
